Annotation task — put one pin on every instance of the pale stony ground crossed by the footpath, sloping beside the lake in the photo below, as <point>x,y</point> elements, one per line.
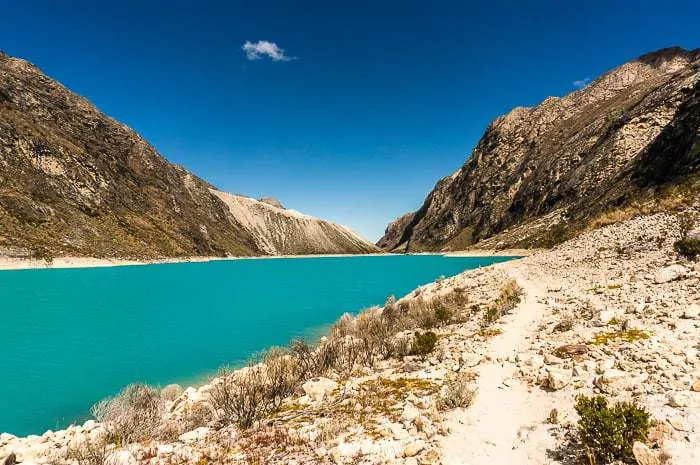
<point>614,311</point>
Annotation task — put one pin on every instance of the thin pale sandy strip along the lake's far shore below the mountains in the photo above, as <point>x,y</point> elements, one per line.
<point>14,264</point>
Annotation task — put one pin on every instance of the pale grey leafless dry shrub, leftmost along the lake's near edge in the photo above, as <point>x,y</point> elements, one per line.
<point>133,415</point>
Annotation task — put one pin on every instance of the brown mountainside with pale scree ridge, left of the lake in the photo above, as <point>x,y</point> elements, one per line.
<point>76,182</point>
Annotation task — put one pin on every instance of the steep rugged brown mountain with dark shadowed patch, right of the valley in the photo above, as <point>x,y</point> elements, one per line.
<point>539,175</point>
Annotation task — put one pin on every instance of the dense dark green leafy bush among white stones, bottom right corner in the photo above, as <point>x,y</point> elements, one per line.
<point>608,433</point>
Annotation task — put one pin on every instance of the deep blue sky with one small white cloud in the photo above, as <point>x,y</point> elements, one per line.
<point>369,105</point>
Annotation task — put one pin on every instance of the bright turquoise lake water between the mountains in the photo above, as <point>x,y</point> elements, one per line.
<point>70,337</point>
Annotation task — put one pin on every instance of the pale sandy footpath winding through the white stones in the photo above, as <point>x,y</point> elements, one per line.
<point>506,413</point>
